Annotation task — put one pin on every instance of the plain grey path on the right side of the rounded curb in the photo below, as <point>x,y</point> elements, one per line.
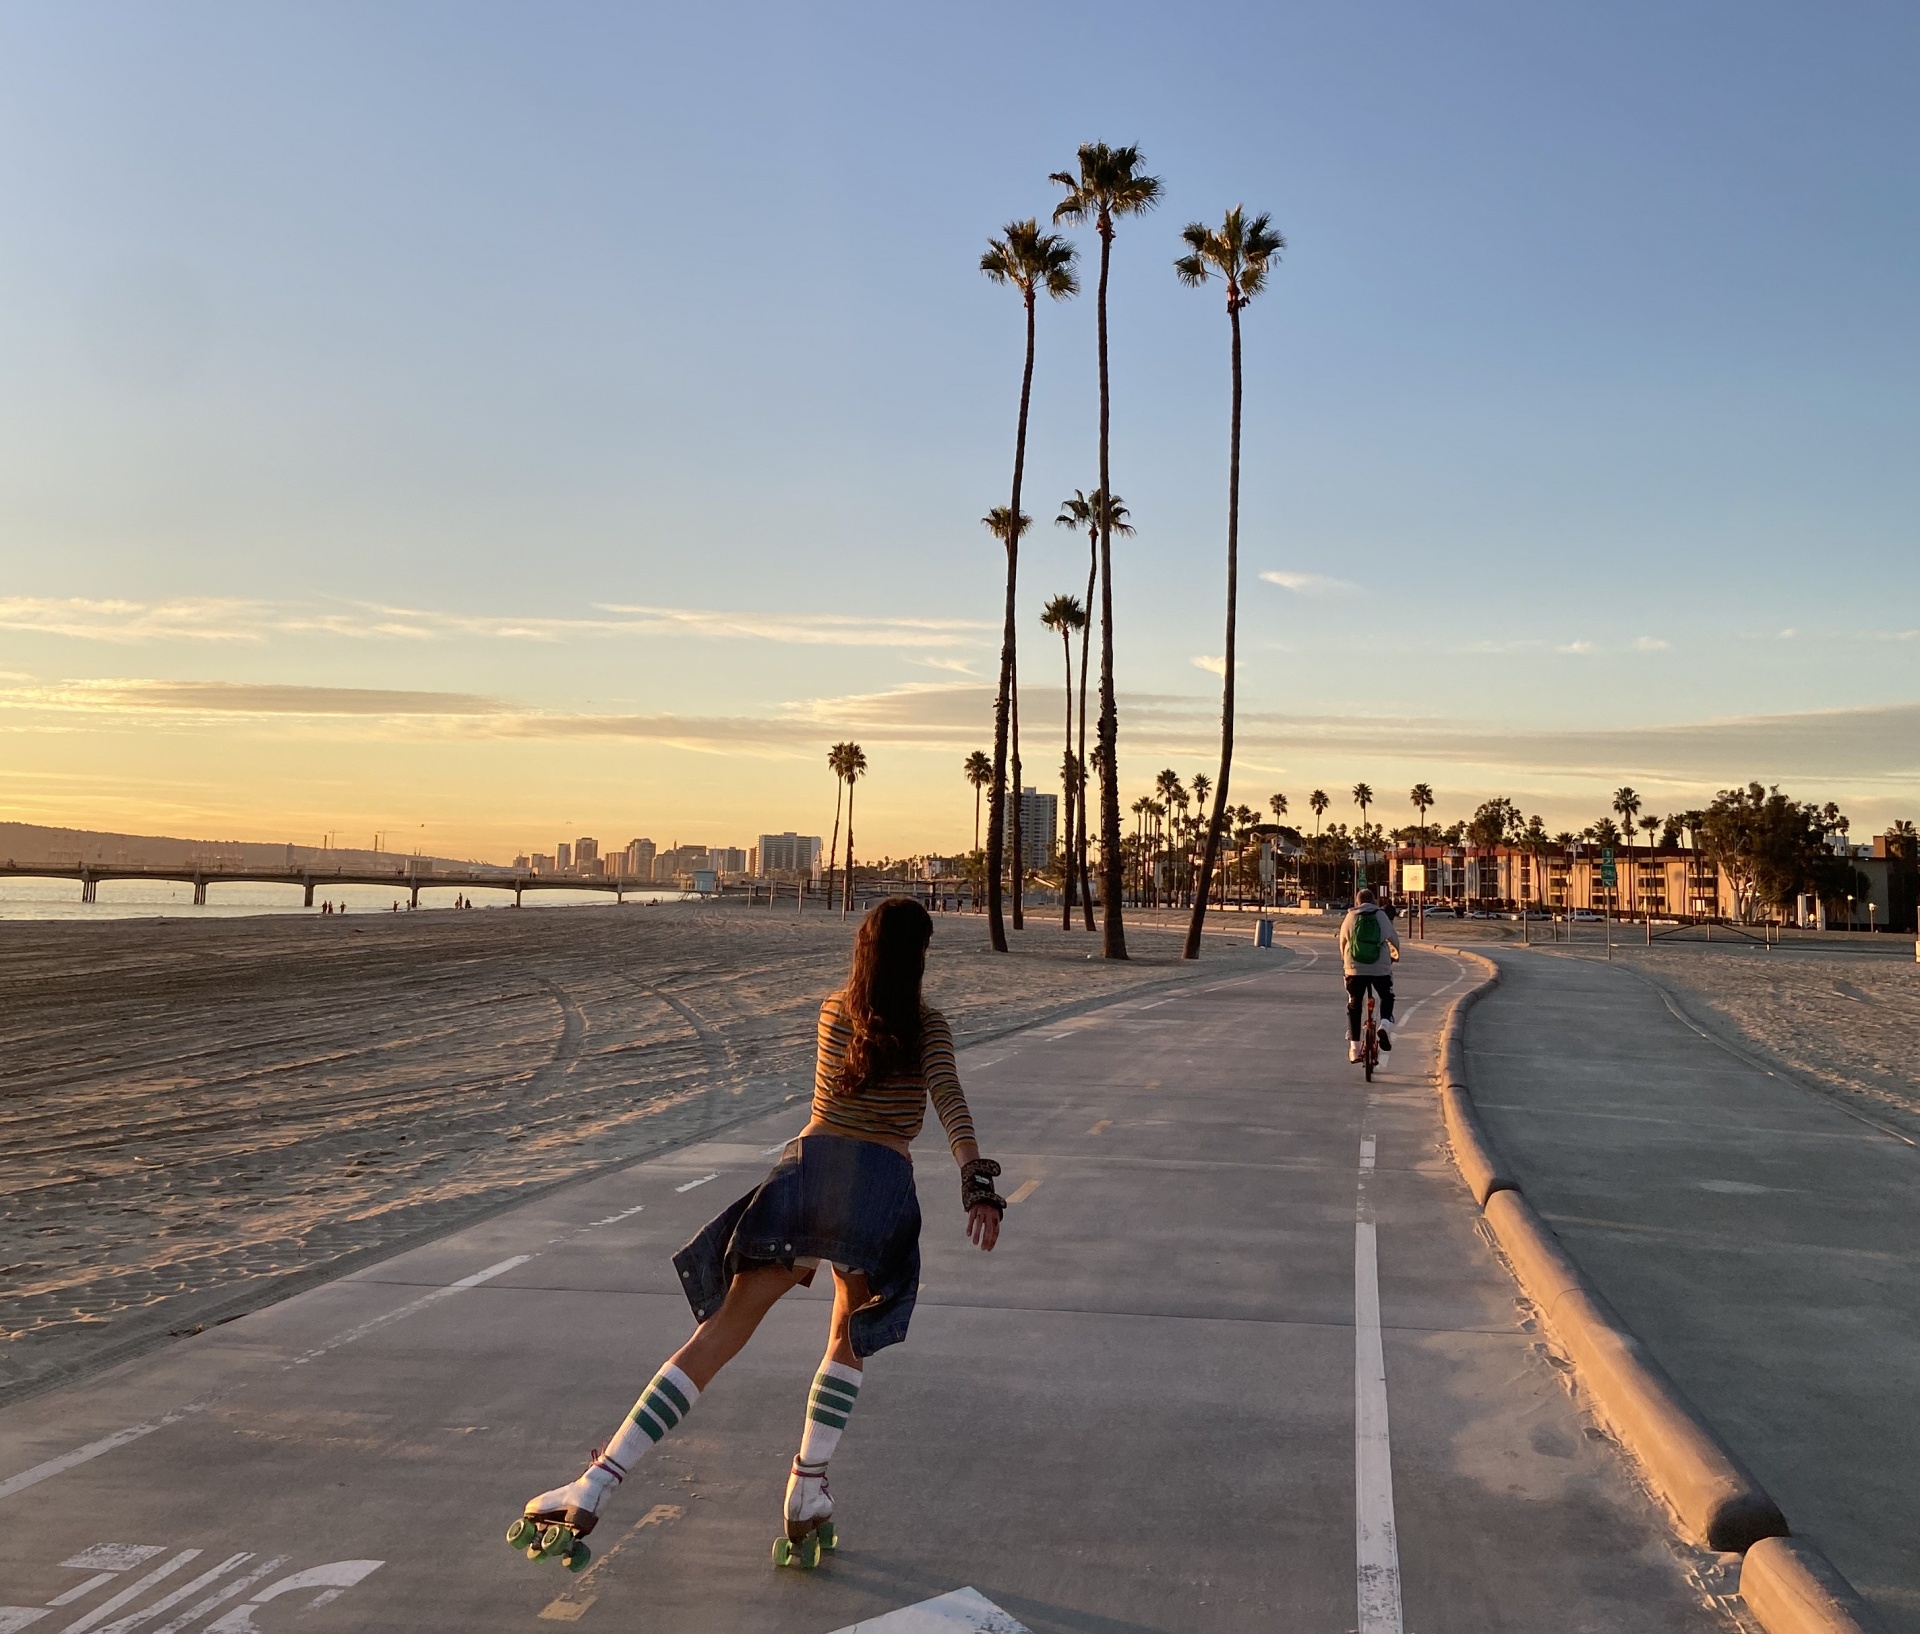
<point>1758,1238</point>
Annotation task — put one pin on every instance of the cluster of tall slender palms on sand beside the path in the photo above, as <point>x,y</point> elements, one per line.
<point>1105,187</point>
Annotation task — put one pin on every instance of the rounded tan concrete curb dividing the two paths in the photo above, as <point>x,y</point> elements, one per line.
<point>1787,1583</point>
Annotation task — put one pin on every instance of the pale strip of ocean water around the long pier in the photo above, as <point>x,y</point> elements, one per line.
<point>141,900</point>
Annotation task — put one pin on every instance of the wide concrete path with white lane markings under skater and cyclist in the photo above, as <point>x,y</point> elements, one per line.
<point>1241,1362</point>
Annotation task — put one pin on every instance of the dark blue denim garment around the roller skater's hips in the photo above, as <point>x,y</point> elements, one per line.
<point>850,1203</point>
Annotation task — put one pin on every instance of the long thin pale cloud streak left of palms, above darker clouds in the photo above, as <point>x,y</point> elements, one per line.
<point>231,619</point>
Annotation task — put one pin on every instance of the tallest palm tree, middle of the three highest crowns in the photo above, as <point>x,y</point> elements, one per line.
<point>1107,187</point>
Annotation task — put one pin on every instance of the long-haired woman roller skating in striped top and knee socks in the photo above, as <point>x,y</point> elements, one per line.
<point>840,1195</point>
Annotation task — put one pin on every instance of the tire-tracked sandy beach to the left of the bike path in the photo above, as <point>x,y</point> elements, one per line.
<point>199,1118</point>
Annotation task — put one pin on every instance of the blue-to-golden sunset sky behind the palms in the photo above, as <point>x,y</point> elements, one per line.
<point>487,425</point>
